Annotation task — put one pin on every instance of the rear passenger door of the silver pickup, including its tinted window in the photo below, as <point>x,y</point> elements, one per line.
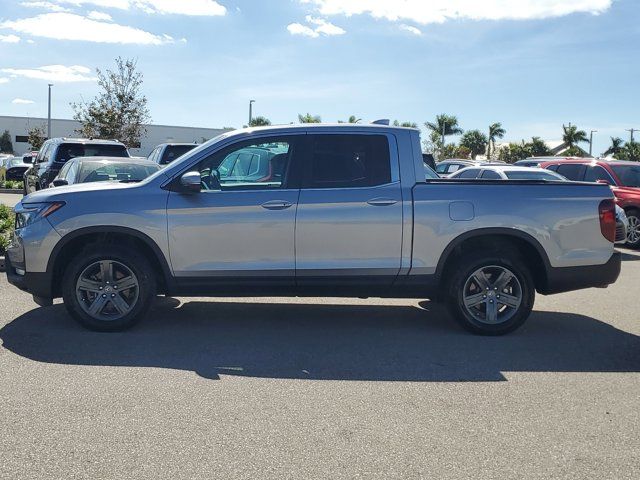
<point>349,220</point>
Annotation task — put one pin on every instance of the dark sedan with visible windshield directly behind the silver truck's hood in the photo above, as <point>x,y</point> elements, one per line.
<point>100,169</point>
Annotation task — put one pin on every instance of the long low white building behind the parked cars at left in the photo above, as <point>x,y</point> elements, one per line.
<point>19,127</point>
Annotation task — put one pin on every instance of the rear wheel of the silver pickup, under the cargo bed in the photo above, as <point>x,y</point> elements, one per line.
<point>490,293</point>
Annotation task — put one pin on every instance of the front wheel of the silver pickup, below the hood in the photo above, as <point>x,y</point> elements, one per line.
<point>108,288</point>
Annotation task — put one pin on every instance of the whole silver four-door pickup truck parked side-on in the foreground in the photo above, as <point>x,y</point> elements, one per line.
<point>312,210</point>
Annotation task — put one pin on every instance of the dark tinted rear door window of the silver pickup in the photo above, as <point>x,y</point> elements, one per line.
<point>347,161</point>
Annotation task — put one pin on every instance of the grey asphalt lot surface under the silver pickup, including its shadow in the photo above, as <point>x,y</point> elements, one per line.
<point>323,388</point>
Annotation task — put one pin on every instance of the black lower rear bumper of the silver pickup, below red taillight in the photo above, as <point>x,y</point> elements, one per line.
<point>567,279</point>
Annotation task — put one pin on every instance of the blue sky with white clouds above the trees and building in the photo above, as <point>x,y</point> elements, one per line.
<point>530,64</point>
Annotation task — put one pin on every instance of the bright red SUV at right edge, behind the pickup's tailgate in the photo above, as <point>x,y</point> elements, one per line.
<point>624,178</point>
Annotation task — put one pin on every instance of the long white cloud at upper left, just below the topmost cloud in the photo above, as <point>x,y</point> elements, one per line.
<point>69,26</point>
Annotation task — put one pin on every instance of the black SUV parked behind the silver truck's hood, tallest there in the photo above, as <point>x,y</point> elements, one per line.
<point>57,151</point>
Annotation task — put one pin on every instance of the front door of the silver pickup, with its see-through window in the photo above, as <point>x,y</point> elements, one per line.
<point>241,225</point>
